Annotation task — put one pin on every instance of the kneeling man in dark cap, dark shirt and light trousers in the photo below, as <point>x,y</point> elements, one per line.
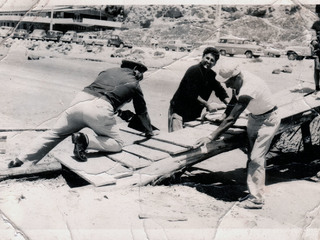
<point>95,107</point>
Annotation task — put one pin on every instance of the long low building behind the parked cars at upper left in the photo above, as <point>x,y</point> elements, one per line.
<point>64,18</point>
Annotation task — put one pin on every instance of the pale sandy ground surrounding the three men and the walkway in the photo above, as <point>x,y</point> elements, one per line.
<point>199,205</point>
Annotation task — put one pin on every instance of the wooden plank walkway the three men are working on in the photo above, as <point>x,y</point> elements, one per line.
<point>146,161</point>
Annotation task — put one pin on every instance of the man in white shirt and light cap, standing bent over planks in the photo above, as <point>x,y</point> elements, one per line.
<point>251,93</point>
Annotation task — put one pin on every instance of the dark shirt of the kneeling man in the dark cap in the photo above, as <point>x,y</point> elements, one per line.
<point>119,86</point>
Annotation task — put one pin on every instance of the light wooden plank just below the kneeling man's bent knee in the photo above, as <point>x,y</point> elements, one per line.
<point>131,161</point>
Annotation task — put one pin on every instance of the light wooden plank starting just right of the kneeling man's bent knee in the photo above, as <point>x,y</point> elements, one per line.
<point>145,152</point>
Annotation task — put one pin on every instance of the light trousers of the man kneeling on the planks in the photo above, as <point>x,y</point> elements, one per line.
<point>85,110</point>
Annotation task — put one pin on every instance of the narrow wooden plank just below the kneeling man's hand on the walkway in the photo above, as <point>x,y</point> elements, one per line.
<point>163,146</point>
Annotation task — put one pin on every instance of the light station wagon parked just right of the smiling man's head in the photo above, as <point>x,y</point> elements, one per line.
<point>234,45</point>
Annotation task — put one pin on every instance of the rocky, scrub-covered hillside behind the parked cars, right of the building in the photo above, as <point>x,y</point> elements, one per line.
<point>276,25</point>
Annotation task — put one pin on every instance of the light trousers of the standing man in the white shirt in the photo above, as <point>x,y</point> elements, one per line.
<point>261,130</point>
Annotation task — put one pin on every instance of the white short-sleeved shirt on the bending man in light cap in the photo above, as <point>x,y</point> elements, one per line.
<point>260,93</point>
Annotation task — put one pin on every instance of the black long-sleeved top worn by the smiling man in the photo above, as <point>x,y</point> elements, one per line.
<point>197,81</point>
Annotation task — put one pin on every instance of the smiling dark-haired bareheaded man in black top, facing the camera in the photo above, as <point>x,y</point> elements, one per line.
<point>194,91</point>
